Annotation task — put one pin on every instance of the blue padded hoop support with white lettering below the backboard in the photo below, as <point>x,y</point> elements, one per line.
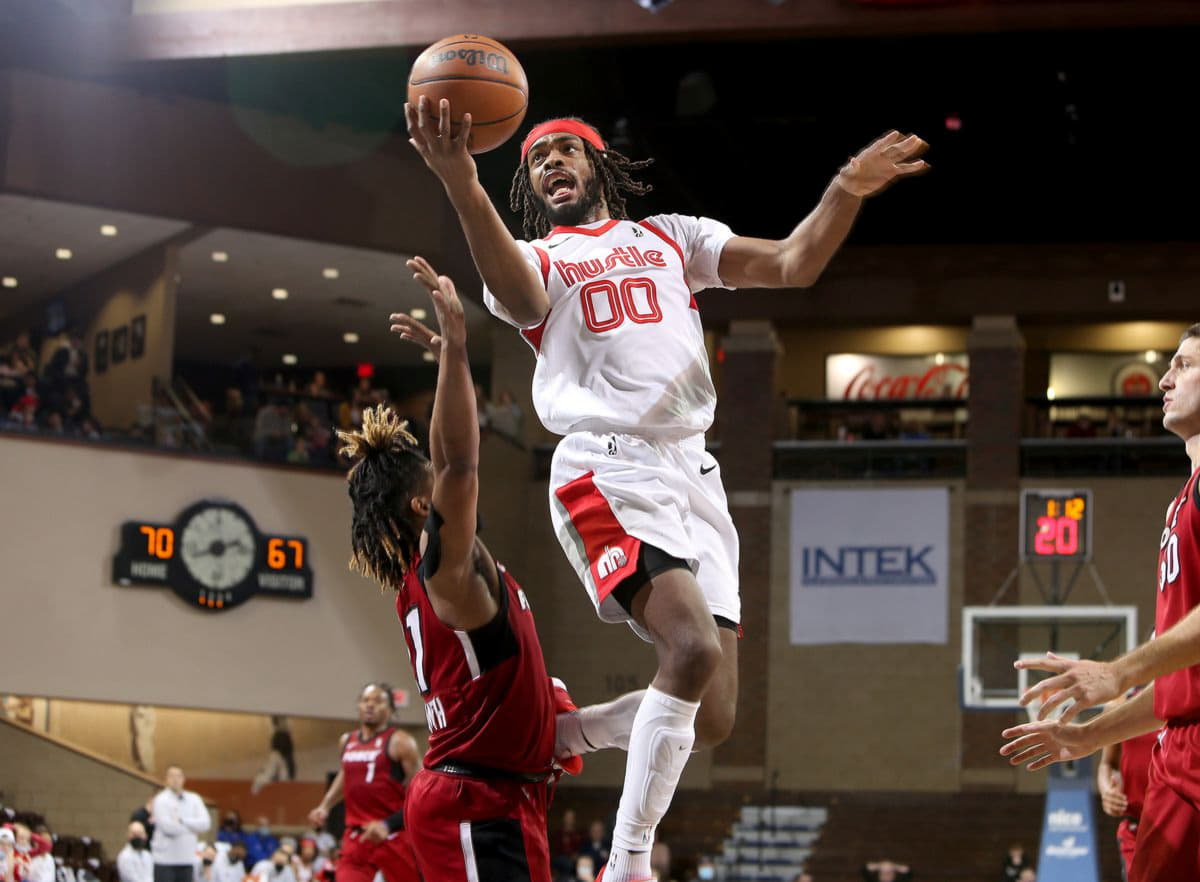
<point>1069,833</point>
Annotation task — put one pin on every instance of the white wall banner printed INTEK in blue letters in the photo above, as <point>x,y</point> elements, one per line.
<point>871,566</point>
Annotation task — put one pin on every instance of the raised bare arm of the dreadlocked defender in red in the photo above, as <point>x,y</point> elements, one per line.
<point>459,598</point>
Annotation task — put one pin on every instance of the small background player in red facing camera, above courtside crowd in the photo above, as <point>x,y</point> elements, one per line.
<point>377,761</point>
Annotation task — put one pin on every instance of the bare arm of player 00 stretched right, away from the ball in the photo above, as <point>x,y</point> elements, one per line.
<point>800,260</point>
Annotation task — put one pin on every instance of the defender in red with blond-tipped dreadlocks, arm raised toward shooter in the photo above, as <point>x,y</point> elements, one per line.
<point>478,809</point>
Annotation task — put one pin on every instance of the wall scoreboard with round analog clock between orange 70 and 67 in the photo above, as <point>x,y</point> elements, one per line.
<point>214,557</point>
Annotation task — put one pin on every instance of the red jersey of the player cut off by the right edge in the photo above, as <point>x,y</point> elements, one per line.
<point>1178,694</point>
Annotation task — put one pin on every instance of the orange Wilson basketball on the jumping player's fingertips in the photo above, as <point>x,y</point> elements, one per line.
<point>478,76</point>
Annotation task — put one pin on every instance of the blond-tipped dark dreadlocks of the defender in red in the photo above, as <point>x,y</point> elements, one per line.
<point>388,470</point>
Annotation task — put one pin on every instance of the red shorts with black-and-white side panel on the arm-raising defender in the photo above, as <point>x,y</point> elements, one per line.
<point>467,830</point>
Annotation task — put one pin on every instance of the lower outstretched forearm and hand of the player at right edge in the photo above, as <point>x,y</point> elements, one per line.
<point>1046,742</point>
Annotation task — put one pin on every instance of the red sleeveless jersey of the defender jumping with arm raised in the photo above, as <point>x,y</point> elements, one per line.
<point>488,698</point>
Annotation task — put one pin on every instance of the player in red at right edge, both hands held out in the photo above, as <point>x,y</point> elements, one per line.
<point>1168,847</point>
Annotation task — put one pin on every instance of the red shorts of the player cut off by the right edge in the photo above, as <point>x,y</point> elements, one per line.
<point>1169,832</point>
